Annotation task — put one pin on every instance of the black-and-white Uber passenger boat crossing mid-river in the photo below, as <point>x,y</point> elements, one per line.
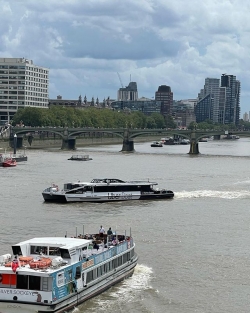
<point>103,190</point>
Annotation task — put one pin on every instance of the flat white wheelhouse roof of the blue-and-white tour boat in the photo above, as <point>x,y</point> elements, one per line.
<point>61,242</point>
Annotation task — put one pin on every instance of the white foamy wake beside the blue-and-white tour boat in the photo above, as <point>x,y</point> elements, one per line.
<point>120,295</point>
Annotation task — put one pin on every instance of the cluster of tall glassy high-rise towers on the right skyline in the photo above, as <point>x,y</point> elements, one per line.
<point>219,101</point>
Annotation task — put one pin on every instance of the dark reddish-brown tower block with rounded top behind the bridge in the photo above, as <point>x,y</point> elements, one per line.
<point>165,95</point>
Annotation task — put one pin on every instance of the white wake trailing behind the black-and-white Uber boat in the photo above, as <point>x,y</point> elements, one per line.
<point>213,194</point>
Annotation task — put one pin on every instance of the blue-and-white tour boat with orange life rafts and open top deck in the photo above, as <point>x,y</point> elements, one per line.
<point>55,274</point>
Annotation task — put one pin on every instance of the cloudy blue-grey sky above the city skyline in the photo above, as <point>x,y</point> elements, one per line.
<point>85,43</point>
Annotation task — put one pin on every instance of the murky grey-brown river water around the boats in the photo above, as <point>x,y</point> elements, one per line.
<point>193,250</point>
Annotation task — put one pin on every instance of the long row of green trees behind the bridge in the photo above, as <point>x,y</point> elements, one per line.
<point>91,117</point>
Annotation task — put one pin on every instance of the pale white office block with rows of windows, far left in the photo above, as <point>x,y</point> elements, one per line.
<point>22,84</point>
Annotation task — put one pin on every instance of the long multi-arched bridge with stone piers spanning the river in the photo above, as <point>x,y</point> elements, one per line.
<point>69,135</point>
